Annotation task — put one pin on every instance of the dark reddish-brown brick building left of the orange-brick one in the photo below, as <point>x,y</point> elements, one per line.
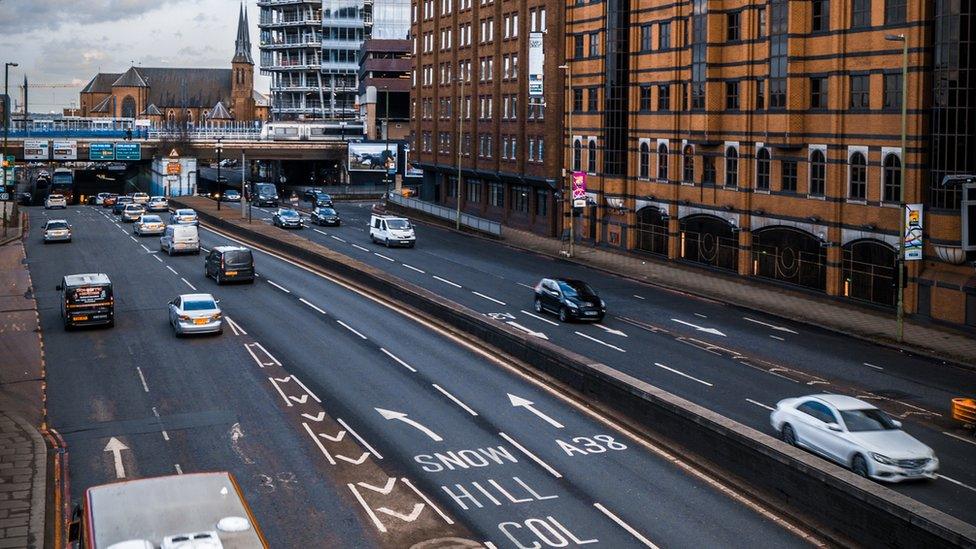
<point>470,60</point>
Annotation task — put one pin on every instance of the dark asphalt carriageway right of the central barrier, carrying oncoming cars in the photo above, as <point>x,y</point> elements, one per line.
<point>736,362</point>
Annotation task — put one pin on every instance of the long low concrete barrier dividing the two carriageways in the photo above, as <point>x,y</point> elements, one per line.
<point>837,504</point>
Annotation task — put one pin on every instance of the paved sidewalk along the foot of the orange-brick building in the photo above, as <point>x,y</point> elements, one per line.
<point>849,319</point>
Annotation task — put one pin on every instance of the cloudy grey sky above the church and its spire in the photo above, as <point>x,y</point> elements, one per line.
<point>66,42</point>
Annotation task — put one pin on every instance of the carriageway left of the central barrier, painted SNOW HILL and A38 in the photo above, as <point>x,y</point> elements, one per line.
<point>350,423</point>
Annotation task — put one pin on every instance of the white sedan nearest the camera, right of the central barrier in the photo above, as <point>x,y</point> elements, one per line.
<point>854,434</point>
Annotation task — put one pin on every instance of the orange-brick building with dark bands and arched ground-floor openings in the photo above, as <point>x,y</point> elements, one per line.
<point>763,138</point>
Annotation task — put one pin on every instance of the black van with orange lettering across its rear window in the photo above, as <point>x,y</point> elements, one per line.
<point>87,300</point>
